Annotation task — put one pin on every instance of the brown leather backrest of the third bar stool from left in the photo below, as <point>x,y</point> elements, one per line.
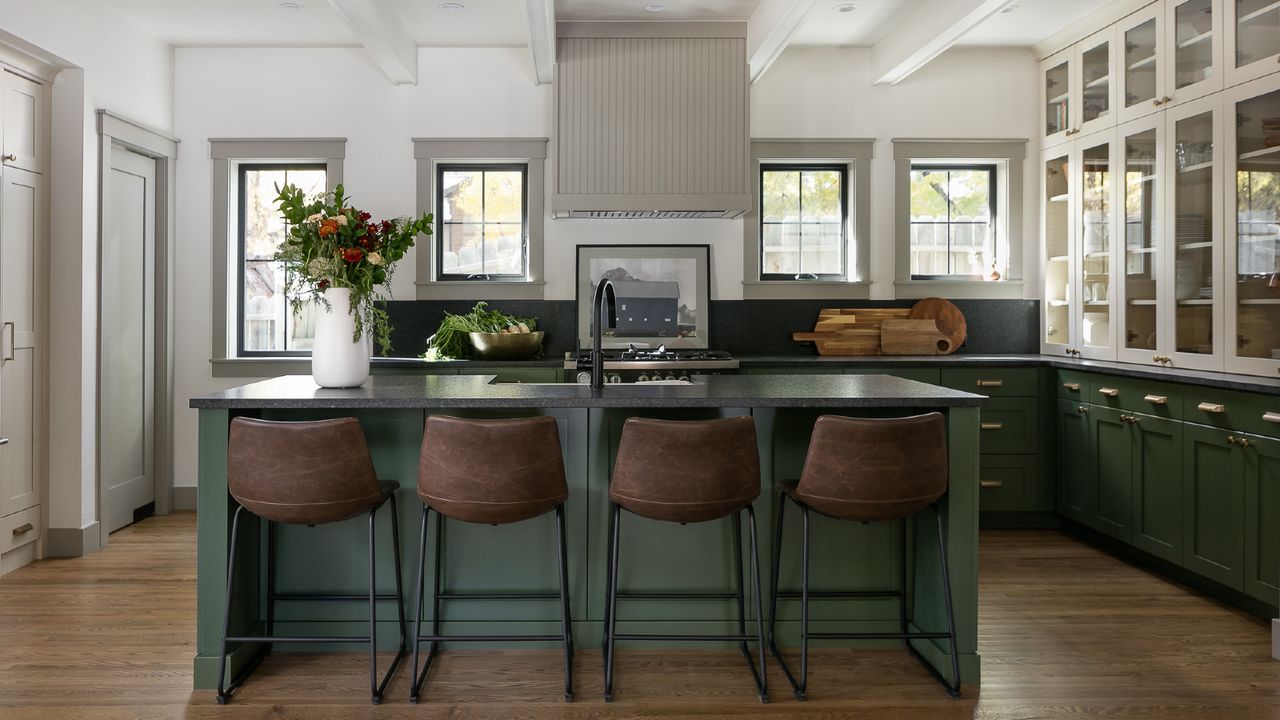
<point>687,471</point>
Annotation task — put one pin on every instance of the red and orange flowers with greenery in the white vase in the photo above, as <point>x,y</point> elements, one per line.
<point>332,244</point>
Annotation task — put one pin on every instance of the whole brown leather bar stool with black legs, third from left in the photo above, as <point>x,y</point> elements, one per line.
<point>687,472</point>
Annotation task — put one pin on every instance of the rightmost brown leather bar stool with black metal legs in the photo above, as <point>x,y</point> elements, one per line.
<point>868,471</point>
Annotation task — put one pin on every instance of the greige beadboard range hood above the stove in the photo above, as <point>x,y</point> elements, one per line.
<point>651,121</point>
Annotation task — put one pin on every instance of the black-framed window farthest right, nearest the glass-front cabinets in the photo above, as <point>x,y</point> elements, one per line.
<point>953,221</point>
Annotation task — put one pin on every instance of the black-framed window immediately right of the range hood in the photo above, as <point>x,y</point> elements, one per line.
<point>804,222</point>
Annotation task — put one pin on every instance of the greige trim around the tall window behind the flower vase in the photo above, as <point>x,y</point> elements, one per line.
<point>227,156</point>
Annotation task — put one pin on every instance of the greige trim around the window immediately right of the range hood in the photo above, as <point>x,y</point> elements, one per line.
<point>856,154</point>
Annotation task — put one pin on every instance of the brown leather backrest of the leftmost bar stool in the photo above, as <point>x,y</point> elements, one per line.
<point>304,473</point>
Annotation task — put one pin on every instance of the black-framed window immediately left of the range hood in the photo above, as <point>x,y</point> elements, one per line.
<point>482,221</point>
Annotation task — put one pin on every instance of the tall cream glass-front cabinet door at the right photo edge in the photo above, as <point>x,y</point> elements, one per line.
<point>1254,238</point>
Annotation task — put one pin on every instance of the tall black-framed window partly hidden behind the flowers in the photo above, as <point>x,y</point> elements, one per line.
<point>264,321</point>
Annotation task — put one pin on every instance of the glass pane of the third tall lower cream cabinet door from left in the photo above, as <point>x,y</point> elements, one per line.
<point>1140,245</point>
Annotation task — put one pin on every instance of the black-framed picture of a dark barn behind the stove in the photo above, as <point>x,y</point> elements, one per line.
<point>664,294</point>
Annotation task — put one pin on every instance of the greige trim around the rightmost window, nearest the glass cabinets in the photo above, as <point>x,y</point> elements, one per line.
<point>1009,157</point>
